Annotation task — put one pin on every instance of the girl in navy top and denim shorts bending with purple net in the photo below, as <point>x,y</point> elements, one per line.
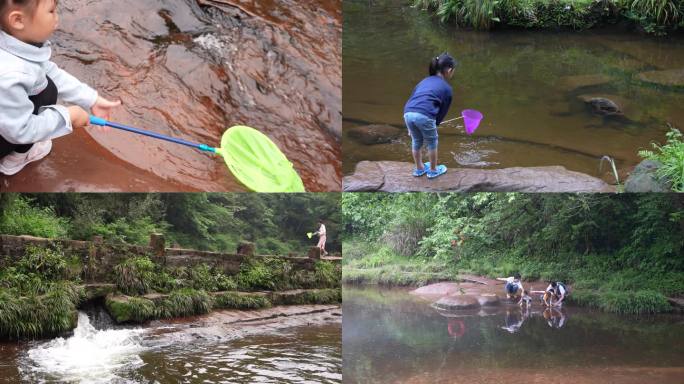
<point>425,110</point>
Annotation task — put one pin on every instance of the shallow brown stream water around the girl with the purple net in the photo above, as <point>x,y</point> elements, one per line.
<point>528,85</point>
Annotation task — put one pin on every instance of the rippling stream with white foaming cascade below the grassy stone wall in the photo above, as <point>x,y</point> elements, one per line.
<point>295,349</point>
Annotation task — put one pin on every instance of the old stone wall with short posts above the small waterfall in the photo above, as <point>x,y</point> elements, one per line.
<point>99,258</point>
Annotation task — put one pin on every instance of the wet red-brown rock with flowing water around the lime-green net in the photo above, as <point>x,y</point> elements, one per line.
<point>192,72</point>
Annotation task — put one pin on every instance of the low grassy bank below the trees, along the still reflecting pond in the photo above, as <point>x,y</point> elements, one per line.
<point>597,281</point>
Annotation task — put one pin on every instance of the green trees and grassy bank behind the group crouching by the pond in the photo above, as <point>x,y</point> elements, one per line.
<point>621,253</point>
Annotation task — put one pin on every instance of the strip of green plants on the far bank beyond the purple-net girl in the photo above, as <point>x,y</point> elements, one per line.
<point>652,16</point>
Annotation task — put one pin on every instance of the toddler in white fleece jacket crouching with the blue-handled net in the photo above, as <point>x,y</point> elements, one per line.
<point>30,85</point>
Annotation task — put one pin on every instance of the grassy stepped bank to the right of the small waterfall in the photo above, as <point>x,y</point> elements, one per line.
<point>151,291</point>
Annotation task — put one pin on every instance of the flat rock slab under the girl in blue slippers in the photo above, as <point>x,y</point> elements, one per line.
<point>395,176</point>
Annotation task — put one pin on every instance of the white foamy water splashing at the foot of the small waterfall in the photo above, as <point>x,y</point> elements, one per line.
<point>89,356</point>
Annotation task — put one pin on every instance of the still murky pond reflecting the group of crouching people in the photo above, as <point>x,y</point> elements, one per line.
<point>391,336</point>
